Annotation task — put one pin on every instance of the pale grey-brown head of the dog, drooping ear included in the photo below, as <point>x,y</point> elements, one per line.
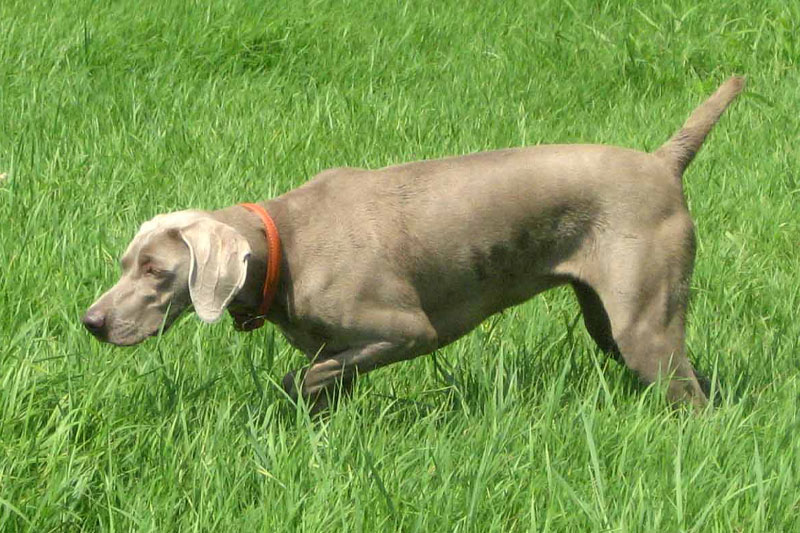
<point>175,261</point>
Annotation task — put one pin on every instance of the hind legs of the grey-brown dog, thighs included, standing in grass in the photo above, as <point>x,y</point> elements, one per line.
<point>635,303</point>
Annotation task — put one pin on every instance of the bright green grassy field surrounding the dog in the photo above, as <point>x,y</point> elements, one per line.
<point>112,112</point>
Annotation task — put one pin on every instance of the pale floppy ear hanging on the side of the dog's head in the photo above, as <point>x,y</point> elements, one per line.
<point>218,265</point>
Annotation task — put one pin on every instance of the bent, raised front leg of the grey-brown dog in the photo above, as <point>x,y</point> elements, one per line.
<point>324,381</point>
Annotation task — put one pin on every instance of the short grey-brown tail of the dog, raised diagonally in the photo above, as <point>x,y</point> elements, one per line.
<point>682,147</point>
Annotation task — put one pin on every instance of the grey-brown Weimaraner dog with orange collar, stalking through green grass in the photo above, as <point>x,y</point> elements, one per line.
<point>371,267</point>
